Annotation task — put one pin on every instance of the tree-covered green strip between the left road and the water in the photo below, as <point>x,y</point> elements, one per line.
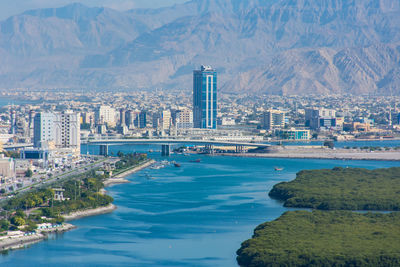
<point>26,213</point>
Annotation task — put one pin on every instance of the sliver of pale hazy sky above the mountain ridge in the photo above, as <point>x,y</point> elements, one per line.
<point>12,7</point>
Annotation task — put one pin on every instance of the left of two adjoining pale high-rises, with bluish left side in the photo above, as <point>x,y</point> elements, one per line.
<point>43,128</point>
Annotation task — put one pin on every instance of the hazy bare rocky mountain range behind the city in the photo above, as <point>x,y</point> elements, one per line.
<point>258,46</point>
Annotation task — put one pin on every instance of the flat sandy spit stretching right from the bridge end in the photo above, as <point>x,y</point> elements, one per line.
<point>328,154</point>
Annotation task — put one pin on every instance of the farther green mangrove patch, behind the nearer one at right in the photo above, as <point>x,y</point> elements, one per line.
<point>342,189</point>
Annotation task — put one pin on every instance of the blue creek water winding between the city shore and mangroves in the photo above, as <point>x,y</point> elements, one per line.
<point>196,215</point>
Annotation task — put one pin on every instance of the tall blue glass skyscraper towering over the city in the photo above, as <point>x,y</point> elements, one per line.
<point>205,98</point>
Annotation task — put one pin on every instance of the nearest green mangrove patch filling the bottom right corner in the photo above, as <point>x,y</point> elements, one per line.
<point>325,238</point>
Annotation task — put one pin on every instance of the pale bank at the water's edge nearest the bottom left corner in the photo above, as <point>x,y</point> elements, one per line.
<point>19,241</point>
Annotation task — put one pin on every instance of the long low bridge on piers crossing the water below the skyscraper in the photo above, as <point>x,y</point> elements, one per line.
<point>166,144</point>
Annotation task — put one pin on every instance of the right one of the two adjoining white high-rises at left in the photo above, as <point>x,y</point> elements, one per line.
<point>67,130</point>
